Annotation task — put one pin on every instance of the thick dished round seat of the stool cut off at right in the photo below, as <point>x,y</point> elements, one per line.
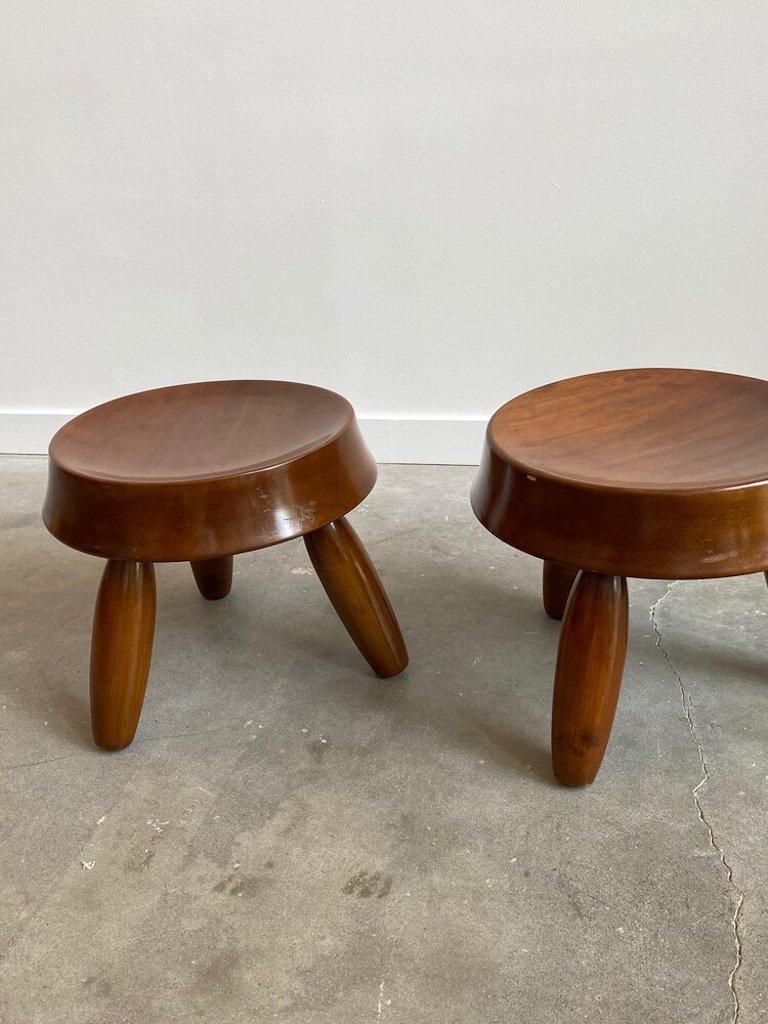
<point>655,474</point>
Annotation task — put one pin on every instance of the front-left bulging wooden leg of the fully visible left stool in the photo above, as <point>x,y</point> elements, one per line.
<point>121,651</point>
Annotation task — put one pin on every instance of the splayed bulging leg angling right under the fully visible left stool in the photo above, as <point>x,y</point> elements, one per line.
<point>357,593</point>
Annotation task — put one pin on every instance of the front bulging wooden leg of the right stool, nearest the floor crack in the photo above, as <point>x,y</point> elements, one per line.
<point>588,677</point>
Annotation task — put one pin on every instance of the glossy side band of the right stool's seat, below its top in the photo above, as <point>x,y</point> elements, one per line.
<point>663,535</point>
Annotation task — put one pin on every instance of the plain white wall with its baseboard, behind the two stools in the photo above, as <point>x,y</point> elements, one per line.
<point>429,206</point>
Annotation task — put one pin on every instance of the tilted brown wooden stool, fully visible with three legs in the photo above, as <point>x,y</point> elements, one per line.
<point>199,474</point>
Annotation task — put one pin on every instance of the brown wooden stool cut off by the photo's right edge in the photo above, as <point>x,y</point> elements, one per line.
<point>652,474</point>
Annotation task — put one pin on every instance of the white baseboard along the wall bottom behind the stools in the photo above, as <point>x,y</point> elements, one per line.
<point>426,440</point>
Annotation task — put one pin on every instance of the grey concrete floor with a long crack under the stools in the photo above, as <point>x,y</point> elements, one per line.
<point>291,840</point>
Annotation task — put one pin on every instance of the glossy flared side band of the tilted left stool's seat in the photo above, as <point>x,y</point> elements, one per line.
<point>207,518</point>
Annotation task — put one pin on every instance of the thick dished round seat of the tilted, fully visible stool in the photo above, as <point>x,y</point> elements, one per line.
<point>203,471</point>
